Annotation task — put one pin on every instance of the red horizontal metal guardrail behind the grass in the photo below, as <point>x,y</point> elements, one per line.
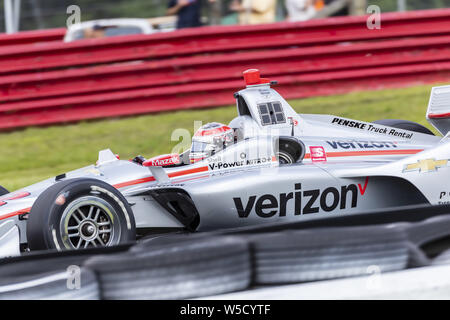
<point>58,82</point>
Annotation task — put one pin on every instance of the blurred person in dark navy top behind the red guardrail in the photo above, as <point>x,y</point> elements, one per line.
<point>188,12</point>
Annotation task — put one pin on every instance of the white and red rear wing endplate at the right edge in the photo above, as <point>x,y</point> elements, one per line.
<point>438,113</point>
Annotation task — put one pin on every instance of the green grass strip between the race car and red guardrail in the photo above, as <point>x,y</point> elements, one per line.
<point>33,154</point>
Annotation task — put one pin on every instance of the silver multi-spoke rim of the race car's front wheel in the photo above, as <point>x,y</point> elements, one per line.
<point>89,222</point>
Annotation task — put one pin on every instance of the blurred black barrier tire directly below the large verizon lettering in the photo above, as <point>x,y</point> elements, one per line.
<point>312,255</point>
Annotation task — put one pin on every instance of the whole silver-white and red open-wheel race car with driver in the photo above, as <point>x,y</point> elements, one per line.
<point>269,164</point>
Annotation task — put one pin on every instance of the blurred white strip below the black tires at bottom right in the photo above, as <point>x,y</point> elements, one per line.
<point>419,283</point>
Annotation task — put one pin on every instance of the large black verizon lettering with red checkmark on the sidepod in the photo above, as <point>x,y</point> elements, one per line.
<point>305,201</point>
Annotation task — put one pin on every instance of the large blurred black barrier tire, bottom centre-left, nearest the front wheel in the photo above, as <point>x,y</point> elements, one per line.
<point>183,270</point>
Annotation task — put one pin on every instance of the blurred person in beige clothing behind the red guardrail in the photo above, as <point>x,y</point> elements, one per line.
<point>254,11</point>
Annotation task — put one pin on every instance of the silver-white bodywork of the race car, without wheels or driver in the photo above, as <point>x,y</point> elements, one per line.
<point>347,166</point>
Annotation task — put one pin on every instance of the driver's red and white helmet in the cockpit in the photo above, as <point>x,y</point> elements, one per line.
<point>210,139</point>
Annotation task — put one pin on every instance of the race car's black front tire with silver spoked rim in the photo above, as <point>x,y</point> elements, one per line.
<point>80,213</point>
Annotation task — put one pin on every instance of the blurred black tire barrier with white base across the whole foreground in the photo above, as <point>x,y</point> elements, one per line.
<point>252,260</point>
